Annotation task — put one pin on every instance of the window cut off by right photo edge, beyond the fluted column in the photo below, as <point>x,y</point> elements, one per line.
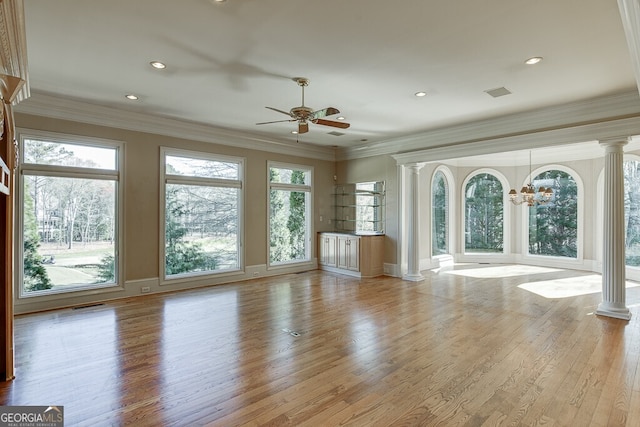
<point>632,212</point>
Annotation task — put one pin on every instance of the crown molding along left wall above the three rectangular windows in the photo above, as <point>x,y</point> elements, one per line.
<point>46,105</point>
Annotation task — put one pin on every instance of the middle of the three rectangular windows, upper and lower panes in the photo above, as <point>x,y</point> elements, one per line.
<point>202,201</point>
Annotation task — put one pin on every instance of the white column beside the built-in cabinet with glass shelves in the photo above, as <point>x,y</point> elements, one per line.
<point>413,229</point>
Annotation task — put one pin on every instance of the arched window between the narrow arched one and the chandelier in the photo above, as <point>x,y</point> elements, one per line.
<point>484,214</point>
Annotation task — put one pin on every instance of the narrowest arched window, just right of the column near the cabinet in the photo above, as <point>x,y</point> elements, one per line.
<point>439,215</point>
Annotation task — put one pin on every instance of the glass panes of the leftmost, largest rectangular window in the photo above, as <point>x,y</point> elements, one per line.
<point>70,198</point>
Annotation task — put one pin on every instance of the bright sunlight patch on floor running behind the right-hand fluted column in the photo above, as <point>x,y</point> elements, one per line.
<point>568,287</point>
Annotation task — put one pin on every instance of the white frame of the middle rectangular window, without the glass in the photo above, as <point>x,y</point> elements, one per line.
<point>199,181</point>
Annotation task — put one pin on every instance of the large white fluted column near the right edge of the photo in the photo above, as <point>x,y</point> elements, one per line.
<point>613,254</point>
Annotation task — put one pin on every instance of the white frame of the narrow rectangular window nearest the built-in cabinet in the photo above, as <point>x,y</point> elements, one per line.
<point>308,189</point>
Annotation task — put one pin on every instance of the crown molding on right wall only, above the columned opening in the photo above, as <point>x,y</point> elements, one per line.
<point>512,127</point>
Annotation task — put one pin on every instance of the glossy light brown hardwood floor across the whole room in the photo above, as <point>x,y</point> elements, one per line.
<point>470,346</point>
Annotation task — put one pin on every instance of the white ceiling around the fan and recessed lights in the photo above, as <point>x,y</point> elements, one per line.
<point>226,62</point>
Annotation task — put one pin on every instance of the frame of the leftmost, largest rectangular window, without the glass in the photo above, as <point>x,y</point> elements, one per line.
<point>56,171</point>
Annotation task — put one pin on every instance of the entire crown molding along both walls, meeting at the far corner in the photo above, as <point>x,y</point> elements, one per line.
<point>600,118</point>
